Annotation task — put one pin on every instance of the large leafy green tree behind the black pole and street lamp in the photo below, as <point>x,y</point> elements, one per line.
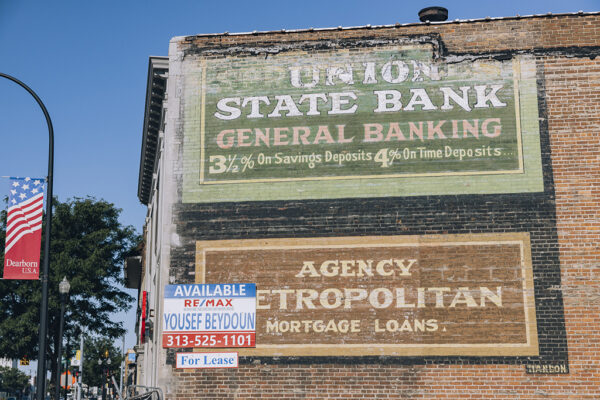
<point>88,247</point>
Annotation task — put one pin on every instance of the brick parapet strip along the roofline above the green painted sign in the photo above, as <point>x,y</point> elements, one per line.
<point>460,37</point>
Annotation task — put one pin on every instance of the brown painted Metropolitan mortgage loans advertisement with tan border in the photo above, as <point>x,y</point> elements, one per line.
<point>466,295</point>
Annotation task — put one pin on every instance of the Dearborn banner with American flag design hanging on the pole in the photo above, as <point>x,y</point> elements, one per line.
<point>24,228</point>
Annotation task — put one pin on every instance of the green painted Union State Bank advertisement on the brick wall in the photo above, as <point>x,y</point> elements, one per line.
<point>366,122</point>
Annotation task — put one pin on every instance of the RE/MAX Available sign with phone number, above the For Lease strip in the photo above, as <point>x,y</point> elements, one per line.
<point>214,315</point>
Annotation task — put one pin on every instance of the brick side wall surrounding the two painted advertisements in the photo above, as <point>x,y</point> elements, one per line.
<point>562,221</point>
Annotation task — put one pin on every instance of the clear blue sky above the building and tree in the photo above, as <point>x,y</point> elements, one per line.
<point>88,61</point>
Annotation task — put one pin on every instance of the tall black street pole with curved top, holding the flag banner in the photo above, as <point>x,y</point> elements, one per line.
<point>41,372</point>
